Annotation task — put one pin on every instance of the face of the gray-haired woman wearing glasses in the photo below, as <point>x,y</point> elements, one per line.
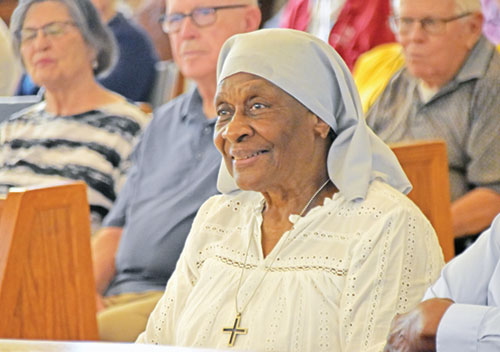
<point>59,54</point>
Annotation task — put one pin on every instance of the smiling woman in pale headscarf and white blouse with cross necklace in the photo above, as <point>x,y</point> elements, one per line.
<point>312,246</point>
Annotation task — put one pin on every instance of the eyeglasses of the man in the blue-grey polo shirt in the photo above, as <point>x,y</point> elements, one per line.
<point>201,16</point>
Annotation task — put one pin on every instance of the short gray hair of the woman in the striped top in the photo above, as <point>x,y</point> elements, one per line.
<point>87,19</point>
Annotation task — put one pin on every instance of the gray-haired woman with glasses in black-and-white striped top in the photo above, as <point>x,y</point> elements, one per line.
<point>80,131</point>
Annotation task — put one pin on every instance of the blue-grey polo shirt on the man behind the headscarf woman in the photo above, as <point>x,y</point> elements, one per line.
<point>174,171</point>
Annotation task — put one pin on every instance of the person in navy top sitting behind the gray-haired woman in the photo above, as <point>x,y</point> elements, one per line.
<point>134,73</point>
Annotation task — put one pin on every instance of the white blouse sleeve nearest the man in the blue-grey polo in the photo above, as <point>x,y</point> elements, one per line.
<point>160,328</point>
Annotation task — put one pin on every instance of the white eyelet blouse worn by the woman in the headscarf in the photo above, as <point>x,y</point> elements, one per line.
<point>342,272</point>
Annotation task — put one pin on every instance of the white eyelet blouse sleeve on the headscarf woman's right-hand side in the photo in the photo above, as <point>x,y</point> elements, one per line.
<point>390,269</point>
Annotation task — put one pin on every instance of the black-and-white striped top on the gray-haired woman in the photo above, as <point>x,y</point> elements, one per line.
<point>39,148</point>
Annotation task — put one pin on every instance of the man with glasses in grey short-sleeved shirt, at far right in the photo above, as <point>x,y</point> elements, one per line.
<point>448,89</point>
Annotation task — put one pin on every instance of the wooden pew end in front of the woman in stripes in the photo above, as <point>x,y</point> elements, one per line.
<point>47,289</point>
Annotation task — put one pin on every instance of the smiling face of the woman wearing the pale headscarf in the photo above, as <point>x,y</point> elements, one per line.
<point>266,137</point>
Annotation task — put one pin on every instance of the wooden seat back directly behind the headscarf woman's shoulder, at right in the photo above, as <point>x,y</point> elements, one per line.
<point>426,165</point>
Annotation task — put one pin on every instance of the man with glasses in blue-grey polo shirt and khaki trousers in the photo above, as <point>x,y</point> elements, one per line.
<point>174,170</point>
